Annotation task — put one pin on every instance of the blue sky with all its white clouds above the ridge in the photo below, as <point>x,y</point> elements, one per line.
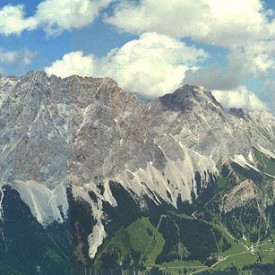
<point>149,46</point>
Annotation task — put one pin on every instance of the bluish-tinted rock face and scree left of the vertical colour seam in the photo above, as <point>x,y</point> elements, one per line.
<point>34,142</point>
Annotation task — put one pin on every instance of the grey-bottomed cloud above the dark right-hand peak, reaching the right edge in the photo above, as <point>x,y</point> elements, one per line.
<point>256,59</point>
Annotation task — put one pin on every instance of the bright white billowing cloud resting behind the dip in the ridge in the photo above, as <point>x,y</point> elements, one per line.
<point>151,65</point>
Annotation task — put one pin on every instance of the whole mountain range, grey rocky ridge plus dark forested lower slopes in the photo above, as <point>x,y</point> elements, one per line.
<point>90,175</point>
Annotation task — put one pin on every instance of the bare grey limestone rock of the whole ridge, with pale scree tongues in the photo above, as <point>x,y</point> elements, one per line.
<point>85,132</point>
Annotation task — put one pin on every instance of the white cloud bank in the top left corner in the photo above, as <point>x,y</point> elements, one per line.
<point>54,16</point>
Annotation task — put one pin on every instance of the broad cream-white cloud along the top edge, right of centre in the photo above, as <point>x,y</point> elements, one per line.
<point>219,22</point>
